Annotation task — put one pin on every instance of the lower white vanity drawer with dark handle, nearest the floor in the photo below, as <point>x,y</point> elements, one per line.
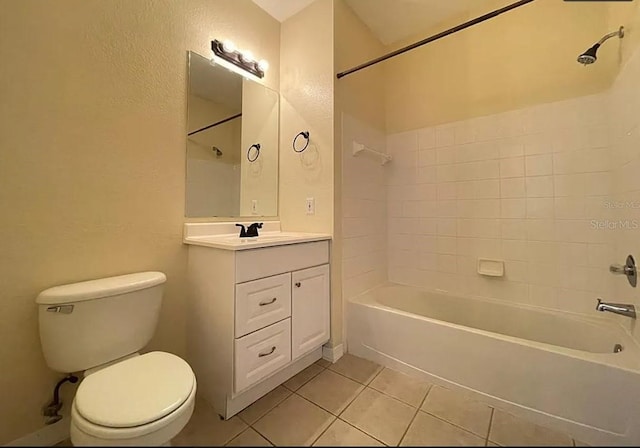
<point>261,353</point>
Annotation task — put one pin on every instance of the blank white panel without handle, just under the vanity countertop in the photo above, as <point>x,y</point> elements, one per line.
<point>258,263</point>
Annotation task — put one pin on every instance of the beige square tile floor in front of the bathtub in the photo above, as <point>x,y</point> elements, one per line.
<point>355,402</point>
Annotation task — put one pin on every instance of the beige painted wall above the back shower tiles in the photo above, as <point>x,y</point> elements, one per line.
<point>521,58</point>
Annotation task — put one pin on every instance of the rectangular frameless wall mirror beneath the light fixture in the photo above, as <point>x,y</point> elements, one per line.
<point>232,143</point>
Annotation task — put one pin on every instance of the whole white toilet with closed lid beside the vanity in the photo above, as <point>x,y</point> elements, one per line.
<point>97,327</point>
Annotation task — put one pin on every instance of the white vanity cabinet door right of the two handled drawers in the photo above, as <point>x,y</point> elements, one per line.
<point>309,309</point>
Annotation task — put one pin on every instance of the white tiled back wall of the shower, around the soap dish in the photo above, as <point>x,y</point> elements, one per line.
<point>529,187</point>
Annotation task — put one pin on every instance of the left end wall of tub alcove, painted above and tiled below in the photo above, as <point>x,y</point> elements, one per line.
<point>359,115</point>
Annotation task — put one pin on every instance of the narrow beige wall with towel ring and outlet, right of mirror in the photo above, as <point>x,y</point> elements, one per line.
<point>306,104</point>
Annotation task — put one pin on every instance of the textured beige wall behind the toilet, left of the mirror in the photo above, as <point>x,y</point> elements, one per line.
<point>92,156</point>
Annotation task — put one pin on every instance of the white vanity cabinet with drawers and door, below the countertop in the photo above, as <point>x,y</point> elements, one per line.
<point>256,318</point>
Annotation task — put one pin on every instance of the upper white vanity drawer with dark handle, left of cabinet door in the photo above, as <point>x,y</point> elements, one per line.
<point>262,302</point>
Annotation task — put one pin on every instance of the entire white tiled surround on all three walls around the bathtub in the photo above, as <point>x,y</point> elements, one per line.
<point>550,189</point>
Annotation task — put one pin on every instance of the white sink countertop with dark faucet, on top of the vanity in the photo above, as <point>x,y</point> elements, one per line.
<point>266,239</point>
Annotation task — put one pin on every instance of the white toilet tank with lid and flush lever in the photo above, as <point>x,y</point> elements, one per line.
<point>86,324</point>
